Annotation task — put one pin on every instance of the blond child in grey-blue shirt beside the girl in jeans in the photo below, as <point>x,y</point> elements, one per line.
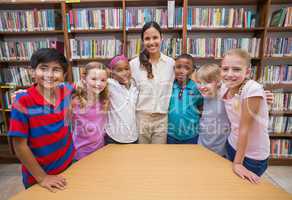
<point>214,123</point>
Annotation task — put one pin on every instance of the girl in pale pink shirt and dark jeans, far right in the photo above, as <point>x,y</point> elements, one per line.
<point>248,144</point>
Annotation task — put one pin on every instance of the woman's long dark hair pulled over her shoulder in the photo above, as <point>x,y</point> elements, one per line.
<point>144,55</point>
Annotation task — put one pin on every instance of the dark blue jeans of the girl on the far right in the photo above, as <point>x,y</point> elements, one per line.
<point>256,166</point>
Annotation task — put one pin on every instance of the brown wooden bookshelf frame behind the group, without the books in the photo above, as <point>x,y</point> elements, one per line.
<point>263,8</point>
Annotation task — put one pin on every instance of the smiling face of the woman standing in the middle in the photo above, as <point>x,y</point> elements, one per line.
<point>152,40</point>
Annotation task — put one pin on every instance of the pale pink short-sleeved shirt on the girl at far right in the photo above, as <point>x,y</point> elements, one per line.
<point>258,145</point>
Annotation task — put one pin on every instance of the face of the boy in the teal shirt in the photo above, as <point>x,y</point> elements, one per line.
<point>183,69</point>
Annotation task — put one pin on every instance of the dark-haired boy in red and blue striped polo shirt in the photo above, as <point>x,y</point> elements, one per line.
<point>41,138</point>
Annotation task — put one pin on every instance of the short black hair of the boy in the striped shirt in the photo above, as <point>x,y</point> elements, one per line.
<point>45,55</point>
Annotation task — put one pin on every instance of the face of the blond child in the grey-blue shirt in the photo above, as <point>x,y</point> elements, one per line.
<point>208,89</point>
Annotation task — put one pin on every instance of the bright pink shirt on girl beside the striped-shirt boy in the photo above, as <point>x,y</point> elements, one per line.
<point>88,129</point>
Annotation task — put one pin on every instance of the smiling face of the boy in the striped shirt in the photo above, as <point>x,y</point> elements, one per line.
<point>49,75</point>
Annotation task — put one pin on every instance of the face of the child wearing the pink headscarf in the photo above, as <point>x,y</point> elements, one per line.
<point>121,72</point>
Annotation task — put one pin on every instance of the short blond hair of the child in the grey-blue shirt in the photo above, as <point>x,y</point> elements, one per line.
<point>209,72</point>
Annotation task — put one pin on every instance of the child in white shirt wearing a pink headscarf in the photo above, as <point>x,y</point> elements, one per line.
<point>121,127</point>
